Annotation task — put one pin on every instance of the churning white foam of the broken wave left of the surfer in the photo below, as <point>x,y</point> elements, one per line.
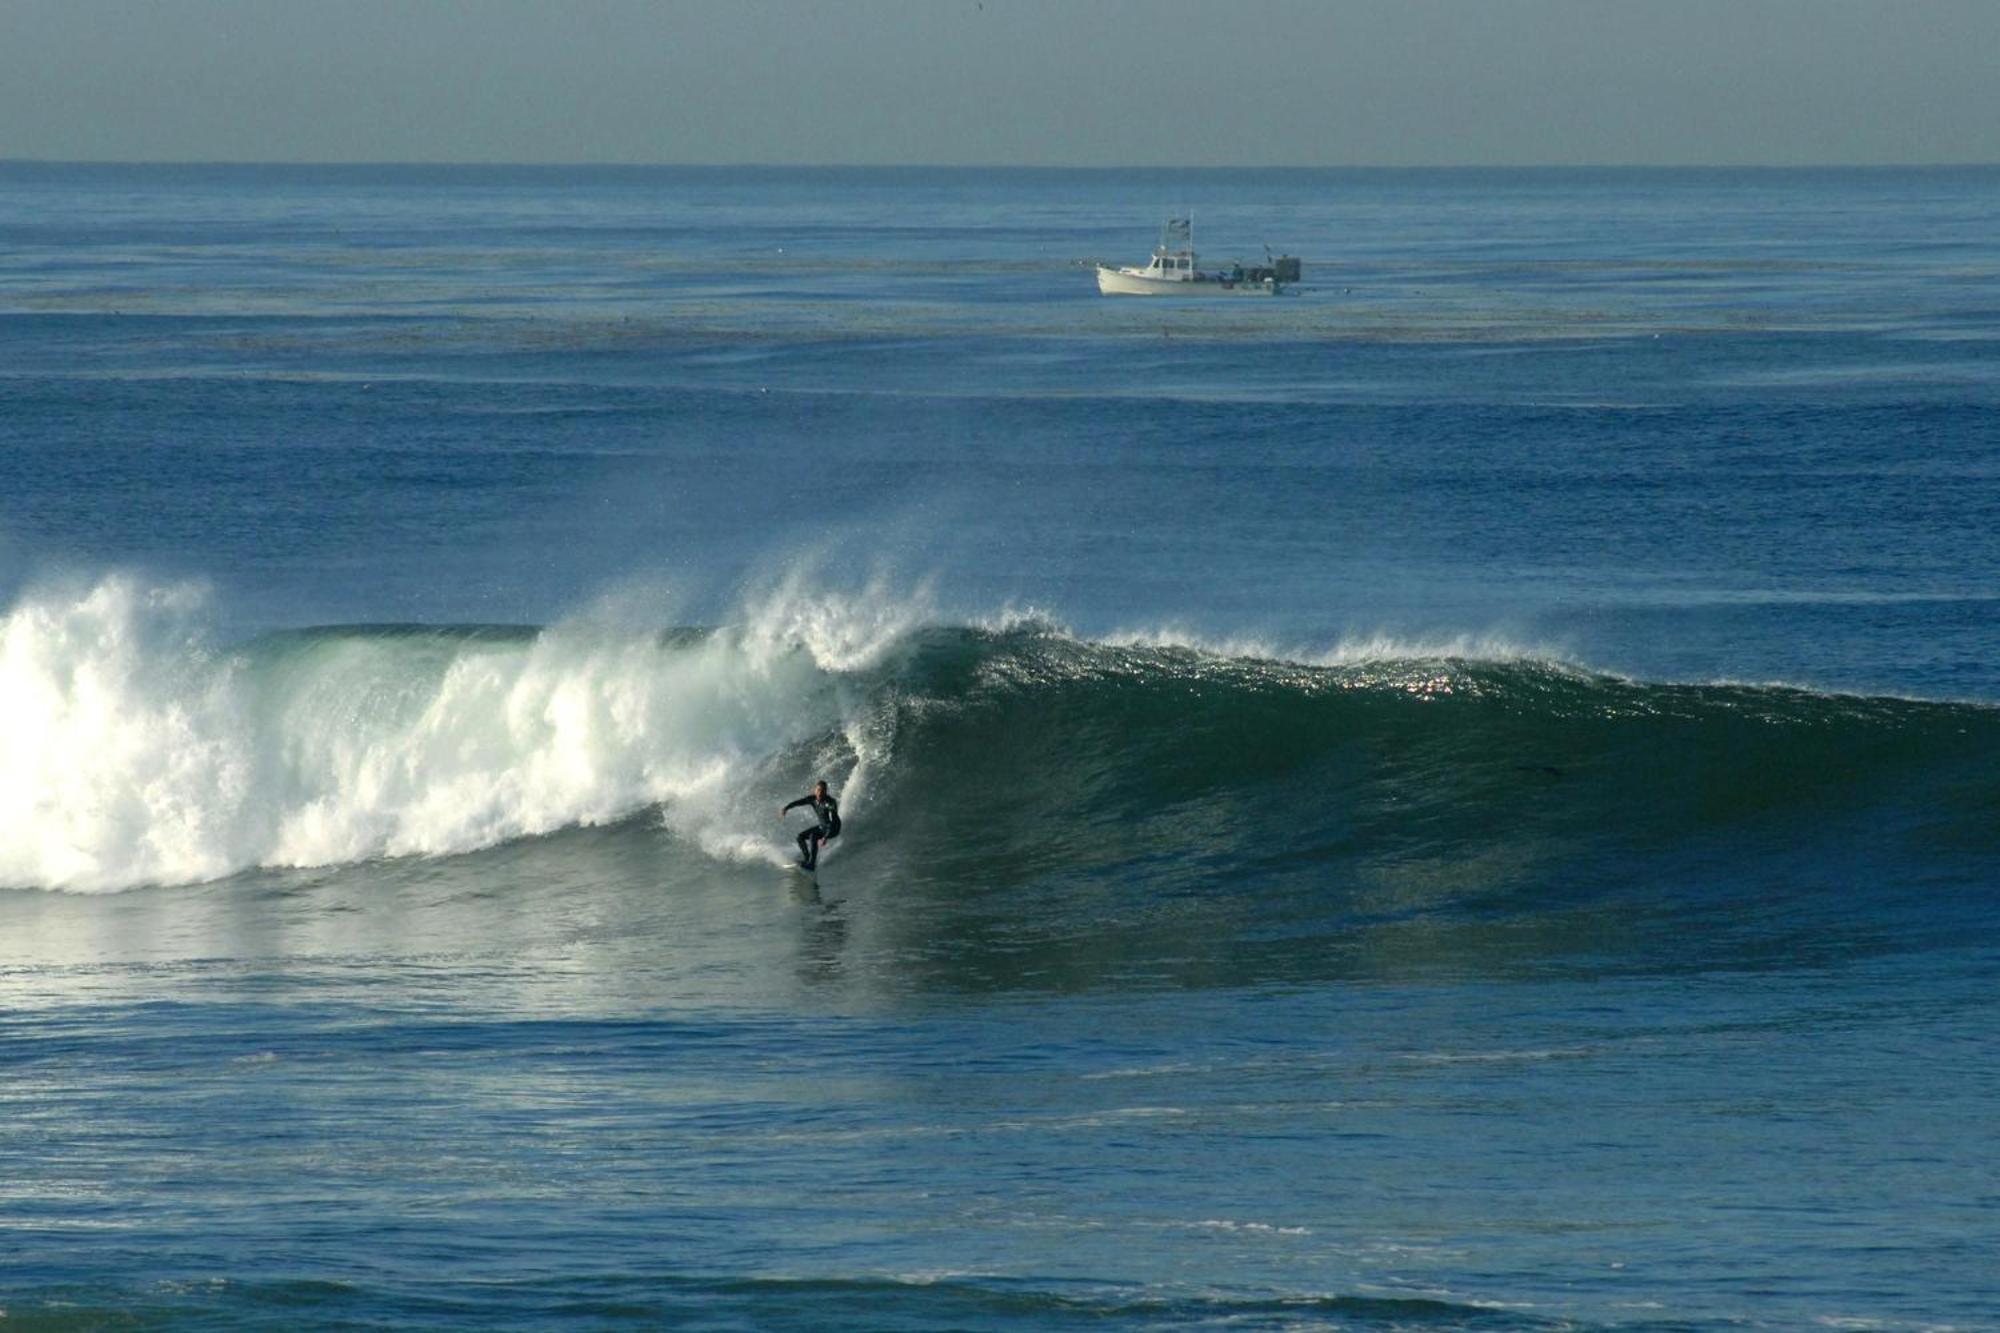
<point>143,754</point>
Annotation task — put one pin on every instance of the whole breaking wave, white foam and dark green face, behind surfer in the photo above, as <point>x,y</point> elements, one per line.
<point>147,756</point>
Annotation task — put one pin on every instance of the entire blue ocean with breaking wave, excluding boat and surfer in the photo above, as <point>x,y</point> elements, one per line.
<point>1463,796</point>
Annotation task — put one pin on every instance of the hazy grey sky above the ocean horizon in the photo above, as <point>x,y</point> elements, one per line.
<point>1067,83</point>
